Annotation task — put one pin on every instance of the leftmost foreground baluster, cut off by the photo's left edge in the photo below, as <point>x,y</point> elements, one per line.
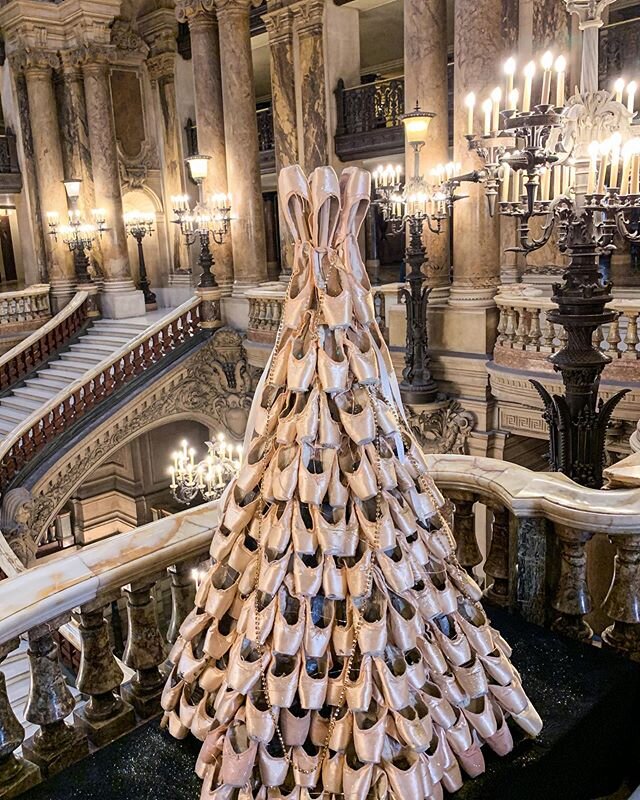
<point>16,774</point>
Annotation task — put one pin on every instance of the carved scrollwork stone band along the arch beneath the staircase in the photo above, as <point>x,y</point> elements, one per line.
<point>214,385</point>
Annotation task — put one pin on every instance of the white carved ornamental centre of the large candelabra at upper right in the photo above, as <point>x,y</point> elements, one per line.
<point>593,116</point>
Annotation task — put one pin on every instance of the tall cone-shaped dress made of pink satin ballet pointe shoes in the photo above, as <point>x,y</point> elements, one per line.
<point>337,646</point>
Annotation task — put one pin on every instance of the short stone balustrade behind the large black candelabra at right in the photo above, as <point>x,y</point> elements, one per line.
<point>526,336</point>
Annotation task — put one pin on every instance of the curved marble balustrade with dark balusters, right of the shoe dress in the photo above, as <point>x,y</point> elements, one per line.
<point>539,532</point>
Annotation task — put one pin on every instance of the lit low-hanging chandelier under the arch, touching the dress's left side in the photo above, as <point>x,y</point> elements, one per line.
<point>208,477</point>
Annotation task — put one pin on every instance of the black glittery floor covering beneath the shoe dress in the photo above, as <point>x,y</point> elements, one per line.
<point>589,700</point>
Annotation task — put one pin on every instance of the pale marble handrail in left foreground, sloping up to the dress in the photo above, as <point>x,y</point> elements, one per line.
<point>59,585</point>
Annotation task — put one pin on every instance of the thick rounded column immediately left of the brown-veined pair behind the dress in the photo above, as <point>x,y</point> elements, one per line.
<point>241,135</point>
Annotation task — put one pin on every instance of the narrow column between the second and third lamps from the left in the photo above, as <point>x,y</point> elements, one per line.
<point>161,69</point>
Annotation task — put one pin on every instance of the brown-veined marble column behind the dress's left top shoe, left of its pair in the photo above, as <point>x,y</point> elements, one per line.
<point>283,100</point>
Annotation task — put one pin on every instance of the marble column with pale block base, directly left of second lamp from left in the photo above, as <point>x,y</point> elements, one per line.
<point>120,297</point>
